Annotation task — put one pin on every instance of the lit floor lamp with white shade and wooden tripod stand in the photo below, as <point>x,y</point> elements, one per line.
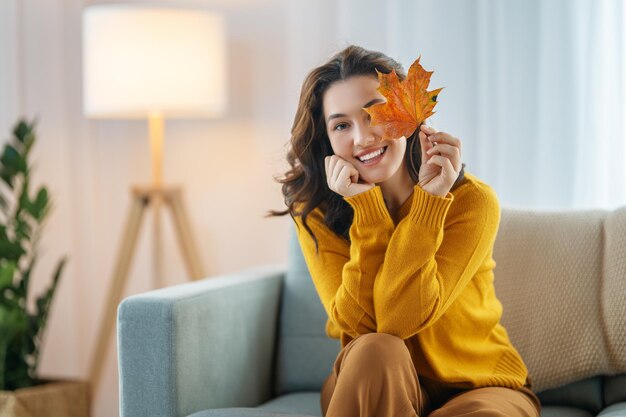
<point>144,62</point>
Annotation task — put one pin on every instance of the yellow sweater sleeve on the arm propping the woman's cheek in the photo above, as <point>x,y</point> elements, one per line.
<point>344,272</point>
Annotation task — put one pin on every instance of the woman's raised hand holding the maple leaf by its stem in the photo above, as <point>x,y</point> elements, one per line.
<point>441,161</point>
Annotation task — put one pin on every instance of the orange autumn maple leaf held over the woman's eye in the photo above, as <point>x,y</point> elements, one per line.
<point>408,103</point>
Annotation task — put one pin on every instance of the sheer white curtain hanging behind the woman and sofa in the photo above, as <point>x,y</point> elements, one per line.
<point>535,89</point>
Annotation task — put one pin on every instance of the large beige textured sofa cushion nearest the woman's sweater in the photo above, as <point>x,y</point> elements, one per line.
<point>549,277</point>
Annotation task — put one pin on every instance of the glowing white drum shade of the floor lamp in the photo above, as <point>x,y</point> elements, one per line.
<point>140,60</point>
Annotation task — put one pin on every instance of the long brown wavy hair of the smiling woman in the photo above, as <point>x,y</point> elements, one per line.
<point>304,185</point>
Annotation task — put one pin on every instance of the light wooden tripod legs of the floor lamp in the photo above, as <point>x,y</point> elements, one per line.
<point>142,198</point>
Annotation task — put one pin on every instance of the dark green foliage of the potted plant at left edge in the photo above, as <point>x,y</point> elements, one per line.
<point>21,332</point>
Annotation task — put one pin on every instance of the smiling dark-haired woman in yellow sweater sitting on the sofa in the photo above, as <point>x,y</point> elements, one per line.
<point>398,241</point>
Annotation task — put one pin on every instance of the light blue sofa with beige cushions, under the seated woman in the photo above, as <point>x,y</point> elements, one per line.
<point>253,343</point>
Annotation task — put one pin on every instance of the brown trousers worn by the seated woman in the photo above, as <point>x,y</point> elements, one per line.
<point>374,376</point>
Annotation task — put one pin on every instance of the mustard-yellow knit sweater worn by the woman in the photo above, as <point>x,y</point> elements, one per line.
<point>425,276</point>
